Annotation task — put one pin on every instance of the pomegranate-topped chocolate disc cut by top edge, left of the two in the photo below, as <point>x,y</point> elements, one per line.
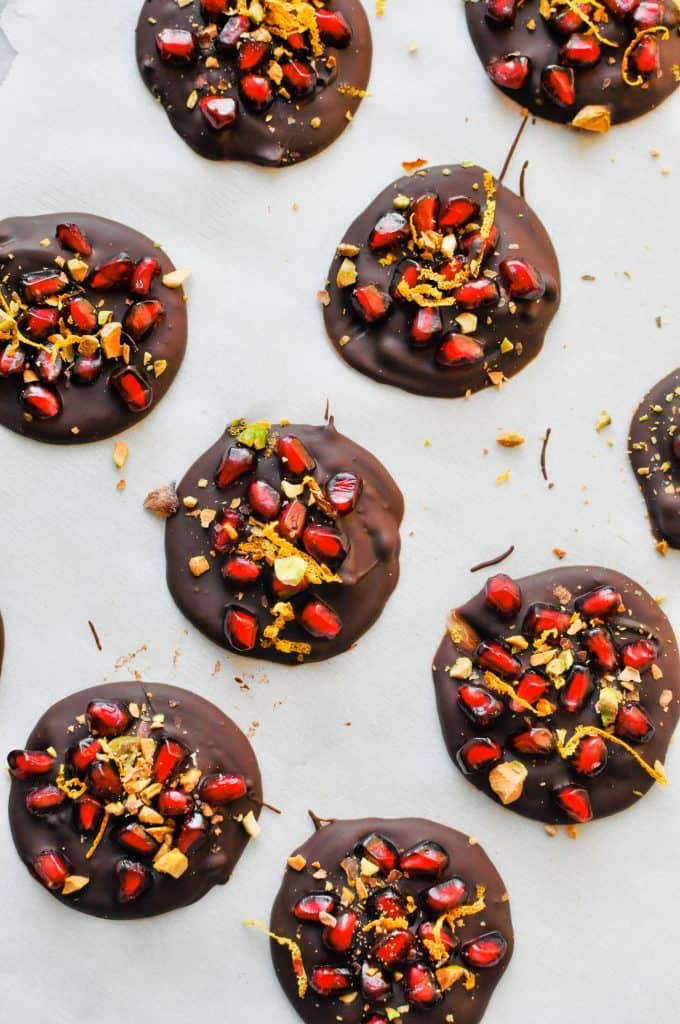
<point>273,90</point>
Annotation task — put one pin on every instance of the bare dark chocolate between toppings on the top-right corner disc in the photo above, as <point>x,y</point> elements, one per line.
<point>602,86</point>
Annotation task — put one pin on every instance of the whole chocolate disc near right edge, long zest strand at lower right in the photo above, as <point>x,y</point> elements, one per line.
<point>559,694</point>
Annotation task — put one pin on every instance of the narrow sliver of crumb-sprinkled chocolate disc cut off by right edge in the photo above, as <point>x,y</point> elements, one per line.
<point>655,431</point>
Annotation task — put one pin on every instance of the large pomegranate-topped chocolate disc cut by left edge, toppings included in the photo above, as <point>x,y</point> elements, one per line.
<point>91,336</point>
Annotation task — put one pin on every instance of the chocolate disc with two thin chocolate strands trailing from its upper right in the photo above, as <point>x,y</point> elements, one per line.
<point>445,285</point>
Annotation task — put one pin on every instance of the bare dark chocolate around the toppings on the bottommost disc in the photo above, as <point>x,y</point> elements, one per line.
<point>330,846</point>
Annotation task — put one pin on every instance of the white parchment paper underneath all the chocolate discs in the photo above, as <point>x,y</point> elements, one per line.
<point>597,920</point>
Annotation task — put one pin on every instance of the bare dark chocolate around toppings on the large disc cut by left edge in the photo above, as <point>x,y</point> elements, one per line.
<point>95,409</point>
